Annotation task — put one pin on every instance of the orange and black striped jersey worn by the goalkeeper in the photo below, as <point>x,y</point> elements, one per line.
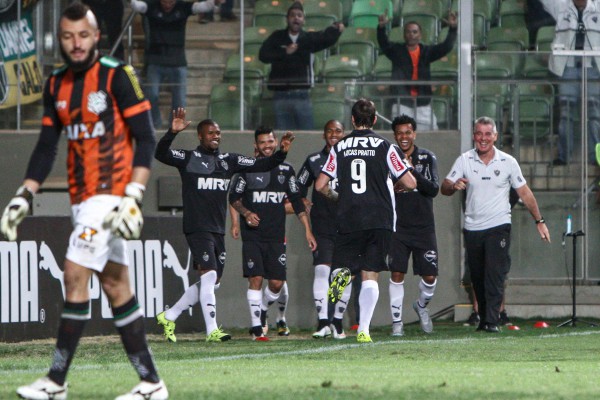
<point>84,105</point>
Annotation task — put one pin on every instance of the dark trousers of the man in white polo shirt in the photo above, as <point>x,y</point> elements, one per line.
<point>488,259</point>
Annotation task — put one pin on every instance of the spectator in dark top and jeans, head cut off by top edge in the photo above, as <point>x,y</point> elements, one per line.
<point>165,53</point>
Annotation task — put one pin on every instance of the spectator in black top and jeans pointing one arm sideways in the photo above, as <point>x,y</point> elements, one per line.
<point>289,51</point>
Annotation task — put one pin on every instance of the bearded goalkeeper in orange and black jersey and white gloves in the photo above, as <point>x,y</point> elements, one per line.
<point>97,101</point>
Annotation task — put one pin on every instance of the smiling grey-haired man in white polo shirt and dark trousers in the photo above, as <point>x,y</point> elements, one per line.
<point>487,175</point>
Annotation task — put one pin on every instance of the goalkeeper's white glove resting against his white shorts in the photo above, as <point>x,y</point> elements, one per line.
<point>126,219</point>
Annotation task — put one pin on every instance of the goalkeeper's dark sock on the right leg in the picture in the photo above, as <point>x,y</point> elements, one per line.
<point>129,321</point>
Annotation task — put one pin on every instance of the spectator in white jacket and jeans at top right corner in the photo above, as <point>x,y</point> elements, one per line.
<point>577,28</point>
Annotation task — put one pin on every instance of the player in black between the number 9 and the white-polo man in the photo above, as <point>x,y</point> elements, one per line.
<point>415,228</point>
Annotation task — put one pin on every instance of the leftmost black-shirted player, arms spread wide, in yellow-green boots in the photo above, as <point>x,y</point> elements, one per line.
<point>205,176</point>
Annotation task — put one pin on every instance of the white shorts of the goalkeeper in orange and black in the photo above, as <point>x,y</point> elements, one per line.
<point>91,245</point>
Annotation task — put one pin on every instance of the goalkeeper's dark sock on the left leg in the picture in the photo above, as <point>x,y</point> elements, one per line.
<point>72,321</point>
